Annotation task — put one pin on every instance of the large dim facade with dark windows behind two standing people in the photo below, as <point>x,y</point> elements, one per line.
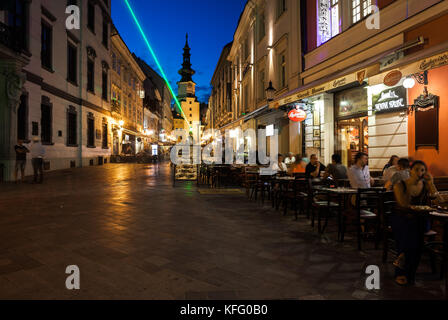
<point>65,99</point>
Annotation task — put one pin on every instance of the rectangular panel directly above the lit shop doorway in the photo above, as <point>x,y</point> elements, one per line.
<point>351,102</point>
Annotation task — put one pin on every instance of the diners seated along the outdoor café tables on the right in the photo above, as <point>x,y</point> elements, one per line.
<point>411,184</point>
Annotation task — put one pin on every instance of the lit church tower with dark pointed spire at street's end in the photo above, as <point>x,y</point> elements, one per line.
<point>186,93</point>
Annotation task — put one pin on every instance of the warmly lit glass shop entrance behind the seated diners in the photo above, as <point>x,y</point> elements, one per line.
<point>352,137</point>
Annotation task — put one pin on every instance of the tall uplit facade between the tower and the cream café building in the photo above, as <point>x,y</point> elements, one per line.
<point>265,48</point>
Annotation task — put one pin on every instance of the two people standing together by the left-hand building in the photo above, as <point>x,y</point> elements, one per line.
<point>37,152</point>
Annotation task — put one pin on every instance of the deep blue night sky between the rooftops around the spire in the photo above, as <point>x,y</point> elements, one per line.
<point>210,25</point>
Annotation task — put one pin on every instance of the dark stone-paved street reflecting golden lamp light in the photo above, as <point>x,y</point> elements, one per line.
<point>134,236</point>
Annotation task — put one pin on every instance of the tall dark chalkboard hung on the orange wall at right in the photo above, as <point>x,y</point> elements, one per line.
<point>427,121</point>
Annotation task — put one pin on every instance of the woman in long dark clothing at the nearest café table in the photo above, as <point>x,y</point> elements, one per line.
<point>408,226</point>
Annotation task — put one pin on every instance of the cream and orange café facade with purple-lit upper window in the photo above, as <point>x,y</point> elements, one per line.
<point>356,58</point>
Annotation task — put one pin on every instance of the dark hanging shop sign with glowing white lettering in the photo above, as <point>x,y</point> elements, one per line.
<point>390,100</point>
